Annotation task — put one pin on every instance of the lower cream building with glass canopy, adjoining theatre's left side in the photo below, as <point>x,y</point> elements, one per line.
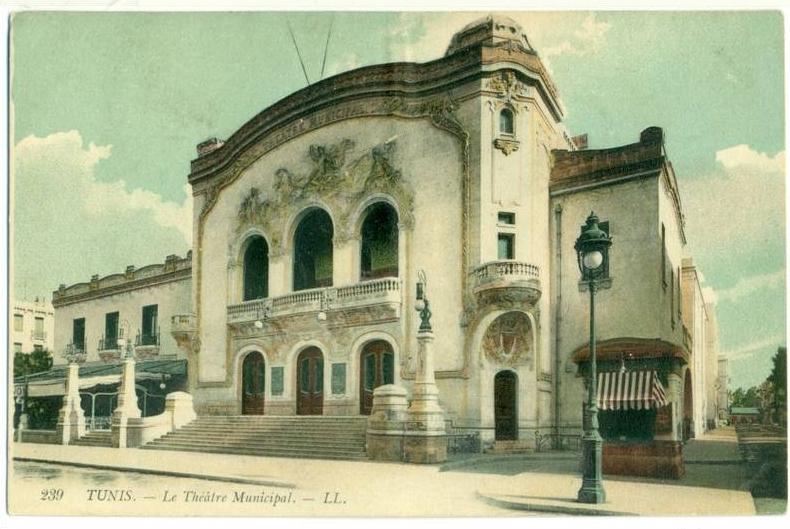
<point>98,320</point>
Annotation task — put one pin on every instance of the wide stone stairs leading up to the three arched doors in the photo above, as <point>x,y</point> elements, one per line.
<point>318,437</point>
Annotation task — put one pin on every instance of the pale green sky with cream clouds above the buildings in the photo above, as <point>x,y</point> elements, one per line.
<point>107,109</point>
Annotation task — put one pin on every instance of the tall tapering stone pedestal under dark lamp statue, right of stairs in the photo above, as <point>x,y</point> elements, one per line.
<point>425,438</point>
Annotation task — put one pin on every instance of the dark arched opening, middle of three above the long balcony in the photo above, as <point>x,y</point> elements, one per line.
<point>312,265</point>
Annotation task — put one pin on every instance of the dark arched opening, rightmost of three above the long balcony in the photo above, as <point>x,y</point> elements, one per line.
<point>379,242</point>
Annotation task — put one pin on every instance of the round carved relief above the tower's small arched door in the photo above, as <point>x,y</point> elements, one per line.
<point>507,340</point>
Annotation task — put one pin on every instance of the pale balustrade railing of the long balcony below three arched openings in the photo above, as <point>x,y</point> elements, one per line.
<point>386,290</point>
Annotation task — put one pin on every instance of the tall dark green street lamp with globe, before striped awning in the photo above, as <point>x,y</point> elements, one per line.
<point>592,249</point>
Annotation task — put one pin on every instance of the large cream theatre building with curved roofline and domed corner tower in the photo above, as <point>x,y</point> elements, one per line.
<point>313,221</point>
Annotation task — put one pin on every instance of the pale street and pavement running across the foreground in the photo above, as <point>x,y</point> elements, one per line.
<point>487,485</point>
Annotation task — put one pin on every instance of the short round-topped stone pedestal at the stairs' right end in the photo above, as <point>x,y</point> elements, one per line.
<point>386,423</point>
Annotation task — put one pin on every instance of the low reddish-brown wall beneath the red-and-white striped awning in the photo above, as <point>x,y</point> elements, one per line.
<point>655,459</point>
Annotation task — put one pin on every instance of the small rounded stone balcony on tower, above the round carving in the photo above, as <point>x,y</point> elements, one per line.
<point>506,283</point>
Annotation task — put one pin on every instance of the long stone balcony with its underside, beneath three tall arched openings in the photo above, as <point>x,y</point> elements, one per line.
<point>361,303</point>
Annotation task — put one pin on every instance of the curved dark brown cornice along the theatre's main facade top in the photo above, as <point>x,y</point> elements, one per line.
<point>297,113</point>
